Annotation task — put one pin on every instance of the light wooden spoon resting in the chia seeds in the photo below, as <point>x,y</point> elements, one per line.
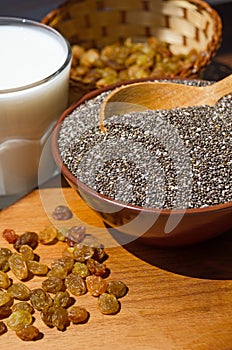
<point>161,95</point>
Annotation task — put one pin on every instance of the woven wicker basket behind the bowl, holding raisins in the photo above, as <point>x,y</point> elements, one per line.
<point>184,25</point>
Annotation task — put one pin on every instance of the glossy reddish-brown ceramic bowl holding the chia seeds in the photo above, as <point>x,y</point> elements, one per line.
<point>165,228</point>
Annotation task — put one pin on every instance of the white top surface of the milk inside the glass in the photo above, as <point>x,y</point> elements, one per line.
<point>28,55</point>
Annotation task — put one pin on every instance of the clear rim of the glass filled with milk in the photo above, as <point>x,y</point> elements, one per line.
<point>5,20</point>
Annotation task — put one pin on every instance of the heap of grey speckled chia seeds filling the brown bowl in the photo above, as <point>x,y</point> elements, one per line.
<point>179,158</point>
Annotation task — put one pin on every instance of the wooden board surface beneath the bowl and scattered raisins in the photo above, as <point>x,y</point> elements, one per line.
<point>178,299</point>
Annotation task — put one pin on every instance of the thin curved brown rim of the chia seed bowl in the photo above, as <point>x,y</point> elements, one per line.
<point>73,180</point>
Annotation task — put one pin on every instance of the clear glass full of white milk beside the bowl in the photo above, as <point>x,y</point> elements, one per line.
<point>34,82</point>
